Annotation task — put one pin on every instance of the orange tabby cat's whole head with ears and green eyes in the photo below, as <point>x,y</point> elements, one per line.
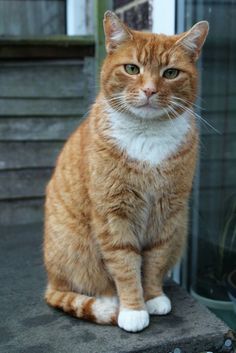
<point>150,75</point>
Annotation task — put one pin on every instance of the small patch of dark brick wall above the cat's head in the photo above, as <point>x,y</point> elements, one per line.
<point>136,13</point>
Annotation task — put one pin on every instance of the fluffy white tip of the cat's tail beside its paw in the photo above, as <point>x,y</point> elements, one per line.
<point>104,308</point>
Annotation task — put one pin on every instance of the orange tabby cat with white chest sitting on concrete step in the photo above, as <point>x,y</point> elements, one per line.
<point>117,203</point>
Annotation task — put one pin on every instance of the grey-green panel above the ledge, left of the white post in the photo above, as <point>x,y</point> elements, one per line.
<point>28,18</point>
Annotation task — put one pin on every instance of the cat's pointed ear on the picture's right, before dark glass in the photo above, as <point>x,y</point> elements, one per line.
<point>194,39</point>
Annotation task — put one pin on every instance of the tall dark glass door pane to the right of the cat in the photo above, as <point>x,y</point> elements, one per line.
<point>213,231</point>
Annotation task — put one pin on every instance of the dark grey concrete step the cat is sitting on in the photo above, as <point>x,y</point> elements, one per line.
<point>28,325</point>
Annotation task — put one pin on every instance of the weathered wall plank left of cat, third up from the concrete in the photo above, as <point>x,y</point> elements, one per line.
<point>17,155</point>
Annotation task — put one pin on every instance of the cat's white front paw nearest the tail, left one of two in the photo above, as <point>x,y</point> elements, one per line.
<point>133,320</point>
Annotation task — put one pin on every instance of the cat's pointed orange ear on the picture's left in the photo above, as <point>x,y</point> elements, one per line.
<point>116,32</point>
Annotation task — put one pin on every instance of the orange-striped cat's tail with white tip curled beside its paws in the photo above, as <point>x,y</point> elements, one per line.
<point>102,310</point>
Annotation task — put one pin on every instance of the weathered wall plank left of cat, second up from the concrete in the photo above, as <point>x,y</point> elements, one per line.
<point>24,183</point>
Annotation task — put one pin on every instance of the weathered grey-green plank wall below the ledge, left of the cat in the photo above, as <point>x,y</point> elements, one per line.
<point>41,103</point>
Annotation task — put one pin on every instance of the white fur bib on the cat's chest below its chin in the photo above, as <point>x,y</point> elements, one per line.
<point>150,141</point>
